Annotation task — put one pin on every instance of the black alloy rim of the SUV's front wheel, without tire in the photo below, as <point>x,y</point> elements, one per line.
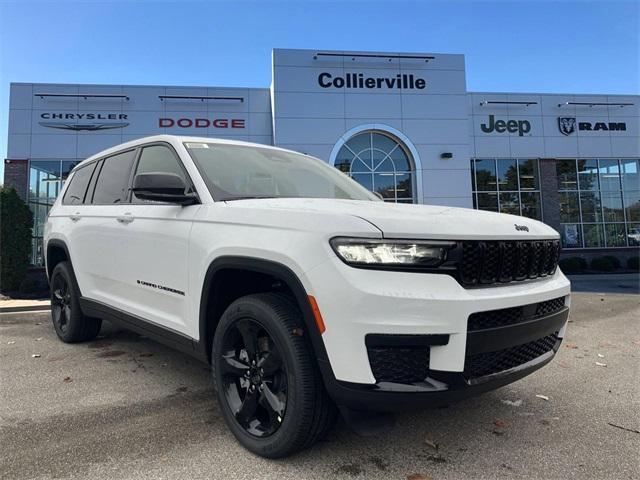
<point>254,378</point>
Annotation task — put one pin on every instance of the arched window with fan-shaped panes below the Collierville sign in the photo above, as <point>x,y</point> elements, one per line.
<point>380,163</point>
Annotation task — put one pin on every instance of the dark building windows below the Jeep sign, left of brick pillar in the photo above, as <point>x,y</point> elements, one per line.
<point>507,185</point>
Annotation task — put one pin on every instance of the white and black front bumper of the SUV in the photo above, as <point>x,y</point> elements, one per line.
<point>434,310</point>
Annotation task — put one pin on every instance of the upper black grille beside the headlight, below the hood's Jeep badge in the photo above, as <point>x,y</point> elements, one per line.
<point>486,263</point>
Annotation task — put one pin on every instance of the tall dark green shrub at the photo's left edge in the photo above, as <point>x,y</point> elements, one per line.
<point>16,222</point>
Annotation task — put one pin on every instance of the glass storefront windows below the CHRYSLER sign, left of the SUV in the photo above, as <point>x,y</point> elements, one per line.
<point>46,178</point>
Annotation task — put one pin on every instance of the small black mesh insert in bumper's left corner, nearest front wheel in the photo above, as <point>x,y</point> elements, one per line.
<point>399,365</point>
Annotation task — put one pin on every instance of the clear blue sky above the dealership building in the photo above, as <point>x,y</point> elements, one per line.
<point>515,46</point>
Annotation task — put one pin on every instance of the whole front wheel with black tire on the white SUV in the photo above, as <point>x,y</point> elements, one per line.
<point>301,412</point>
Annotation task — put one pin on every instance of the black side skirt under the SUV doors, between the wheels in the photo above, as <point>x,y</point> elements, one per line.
<point>168,337</point>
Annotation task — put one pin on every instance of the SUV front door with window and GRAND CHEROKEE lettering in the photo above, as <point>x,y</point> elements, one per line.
<point>152,248</point>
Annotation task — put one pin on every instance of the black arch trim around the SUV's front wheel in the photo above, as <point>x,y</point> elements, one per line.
<point>283,273</point>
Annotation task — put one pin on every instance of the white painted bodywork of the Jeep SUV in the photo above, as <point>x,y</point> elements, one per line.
<point>173,246</point>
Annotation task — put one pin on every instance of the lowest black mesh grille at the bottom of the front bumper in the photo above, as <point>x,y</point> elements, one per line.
<point>483,364</point>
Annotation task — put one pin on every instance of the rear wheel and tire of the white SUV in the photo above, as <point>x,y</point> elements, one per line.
<point>70,323</point>
